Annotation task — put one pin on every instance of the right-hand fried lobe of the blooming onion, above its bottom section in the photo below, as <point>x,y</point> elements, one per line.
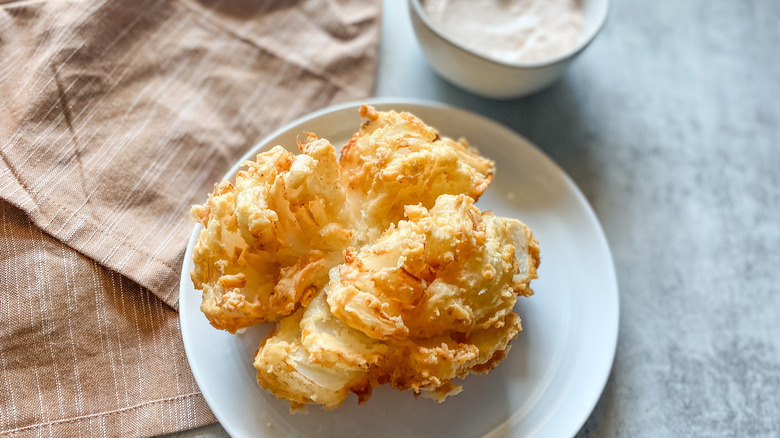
<point>450,268</point>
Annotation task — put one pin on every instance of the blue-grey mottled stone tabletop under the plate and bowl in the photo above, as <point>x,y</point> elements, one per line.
<point>670,124</point>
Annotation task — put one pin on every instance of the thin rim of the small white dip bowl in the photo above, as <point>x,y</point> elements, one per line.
<point>562,57</point>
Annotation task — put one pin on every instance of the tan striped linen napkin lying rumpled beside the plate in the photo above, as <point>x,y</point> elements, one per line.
<point>116,116</point>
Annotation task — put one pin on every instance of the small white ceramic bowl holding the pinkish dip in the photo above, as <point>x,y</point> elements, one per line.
<point>492,78</point>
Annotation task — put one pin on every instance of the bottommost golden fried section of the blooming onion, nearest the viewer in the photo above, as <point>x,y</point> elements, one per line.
<point>336,359</point>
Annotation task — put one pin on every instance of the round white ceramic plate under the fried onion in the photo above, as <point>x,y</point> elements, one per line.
<point>558,365</point>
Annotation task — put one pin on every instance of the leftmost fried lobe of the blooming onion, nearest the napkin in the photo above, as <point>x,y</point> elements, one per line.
<point>267,243</point>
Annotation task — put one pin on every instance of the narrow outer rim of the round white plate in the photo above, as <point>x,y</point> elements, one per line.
<point>602,378</point>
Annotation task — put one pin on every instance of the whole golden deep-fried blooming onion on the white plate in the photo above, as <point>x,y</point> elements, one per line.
<point>377,265</point>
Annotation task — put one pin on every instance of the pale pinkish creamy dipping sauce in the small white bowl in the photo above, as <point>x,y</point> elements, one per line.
<point>509,30</point>
